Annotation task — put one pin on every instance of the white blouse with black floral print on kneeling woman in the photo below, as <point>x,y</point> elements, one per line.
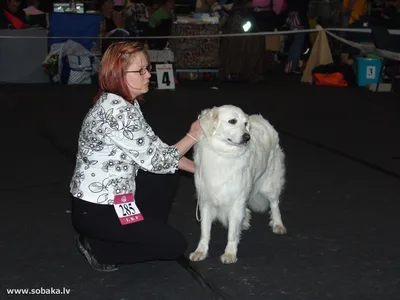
<point>114,143</point>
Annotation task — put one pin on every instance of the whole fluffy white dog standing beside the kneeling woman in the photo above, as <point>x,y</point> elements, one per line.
<point>239,166</point>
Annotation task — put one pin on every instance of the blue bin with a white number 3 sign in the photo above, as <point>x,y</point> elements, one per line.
<point>368,70</point>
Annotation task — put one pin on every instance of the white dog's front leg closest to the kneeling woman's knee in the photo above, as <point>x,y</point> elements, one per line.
<point>207,218</point>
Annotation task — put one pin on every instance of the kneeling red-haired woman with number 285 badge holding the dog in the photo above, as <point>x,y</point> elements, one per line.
<point>125,177</point>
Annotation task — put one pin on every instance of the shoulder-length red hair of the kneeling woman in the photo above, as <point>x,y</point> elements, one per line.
<point>114,63</point>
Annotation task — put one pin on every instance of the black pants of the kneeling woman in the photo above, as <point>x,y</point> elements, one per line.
<point>150,239</point>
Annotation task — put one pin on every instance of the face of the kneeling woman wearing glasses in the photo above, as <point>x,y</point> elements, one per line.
<point>138,76</point>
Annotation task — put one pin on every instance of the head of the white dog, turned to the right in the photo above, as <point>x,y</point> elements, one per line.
<point>228,124</point>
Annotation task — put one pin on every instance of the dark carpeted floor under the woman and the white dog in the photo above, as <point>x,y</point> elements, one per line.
<point>340,205</point>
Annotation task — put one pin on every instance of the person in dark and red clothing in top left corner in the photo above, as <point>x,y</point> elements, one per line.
<point>13,15</point>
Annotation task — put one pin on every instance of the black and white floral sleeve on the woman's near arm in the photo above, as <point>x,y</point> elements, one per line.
<point>129,131</point>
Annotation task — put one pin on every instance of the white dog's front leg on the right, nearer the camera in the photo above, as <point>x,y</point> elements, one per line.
<point>234,229</point>
